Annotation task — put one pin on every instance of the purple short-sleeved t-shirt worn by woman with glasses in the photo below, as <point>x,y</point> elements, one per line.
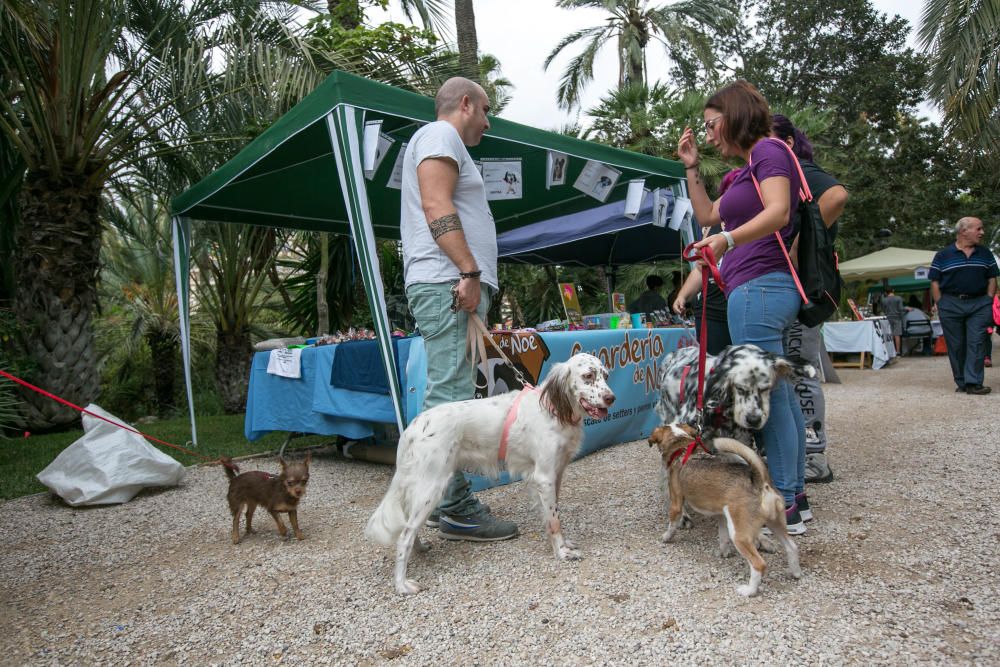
<point>741,203</point>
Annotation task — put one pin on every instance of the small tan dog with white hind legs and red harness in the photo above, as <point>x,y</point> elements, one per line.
<point>739,494</point>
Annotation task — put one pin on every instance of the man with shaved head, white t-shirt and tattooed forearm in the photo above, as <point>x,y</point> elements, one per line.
<point>450,253</point>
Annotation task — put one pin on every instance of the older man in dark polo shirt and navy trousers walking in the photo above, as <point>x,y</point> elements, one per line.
<point>963,282</point>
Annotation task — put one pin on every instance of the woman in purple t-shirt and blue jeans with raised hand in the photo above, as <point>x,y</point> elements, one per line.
<point>762,298</point>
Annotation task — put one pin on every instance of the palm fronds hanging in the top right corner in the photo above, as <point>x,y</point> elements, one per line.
<point>963,39</point>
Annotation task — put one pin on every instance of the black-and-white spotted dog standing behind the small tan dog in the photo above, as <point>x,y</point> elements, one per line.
<point>738,384</point>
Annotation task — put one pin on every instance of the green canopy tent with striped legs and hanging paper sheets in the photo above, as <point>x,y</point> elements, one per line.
<point>307,172</point>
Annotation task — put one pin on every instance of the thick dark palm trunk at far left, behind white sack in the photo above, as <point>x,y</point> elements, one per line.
<point>58,245</point>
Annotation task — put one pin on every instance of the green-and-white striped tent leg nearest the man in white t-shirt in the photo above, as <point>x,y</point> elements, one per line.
<point>344,127</point>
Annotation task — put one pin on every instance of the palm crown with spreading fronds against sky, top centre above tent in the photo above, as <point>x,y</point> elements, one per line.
<point>631,25</point>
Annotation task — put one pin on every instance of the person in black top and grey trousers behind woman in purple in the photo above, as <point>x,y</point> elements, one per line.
<point>799,340</point>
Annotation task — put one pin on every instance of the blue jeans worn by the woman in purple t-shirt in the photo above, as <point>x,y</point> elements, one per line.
<point>759,313</point>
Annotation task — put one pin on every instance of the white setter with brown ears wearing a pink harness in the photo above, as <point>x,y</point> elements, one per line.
<point>543,437</point>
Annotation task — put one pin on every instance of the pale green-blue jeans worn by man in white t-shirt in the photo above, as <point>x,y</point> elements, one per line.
<point>449,371</point>
